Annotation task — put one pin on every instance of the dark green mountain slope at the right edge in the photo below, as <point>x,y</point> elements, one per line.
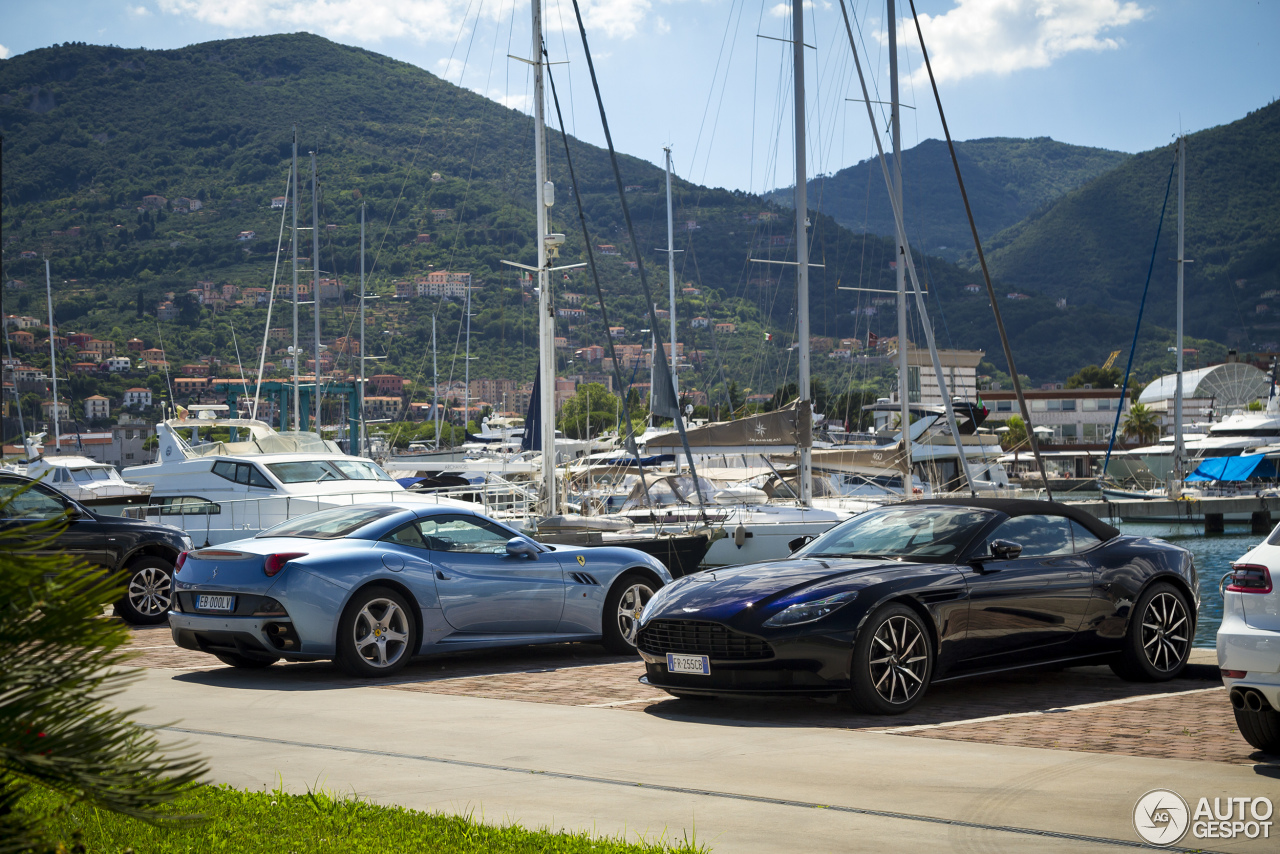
<point>1095,245</point>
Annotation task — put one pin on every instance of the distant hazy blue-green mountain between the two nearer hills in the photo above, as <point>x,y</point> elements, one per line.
<point>1007,181</point>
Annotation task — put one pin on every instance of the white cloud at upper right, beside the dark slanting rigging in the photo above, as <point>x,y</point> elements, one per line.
<point>1005,36</point>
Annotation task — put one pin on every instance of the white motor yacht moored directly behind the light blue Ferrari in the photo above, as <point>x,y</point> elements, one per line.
<point>252,478</point>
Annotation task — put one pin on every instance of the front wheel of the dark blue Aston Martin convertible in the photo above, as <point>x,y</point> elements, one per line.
<point>893,663</point>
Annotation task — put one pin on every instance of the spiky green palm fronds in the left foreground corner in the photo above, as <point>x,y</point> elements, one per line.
<point>60,665</point>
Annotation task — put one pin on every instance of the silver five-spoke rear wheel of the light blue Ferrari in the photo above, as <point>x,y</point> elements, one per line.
<point>376,634</point>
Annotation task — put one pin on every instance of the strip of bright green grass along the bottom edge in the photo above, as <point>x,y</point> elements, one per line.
<point>221,819</point>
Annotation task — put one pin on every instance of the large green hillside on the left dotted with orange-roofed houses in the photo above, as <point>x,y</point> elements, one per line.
<point>447,177</point>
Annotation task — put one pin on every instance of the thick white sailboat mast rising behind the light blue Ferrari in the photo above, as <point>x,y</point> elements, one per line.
<point>546,319</point>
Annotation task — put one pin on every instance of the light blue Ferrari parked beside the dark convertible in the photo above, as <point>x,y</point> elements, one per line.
<point>374,586</point>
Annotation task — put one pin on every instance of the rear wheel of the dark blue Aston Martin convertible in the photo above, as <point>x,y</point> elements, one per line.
<point>1160,636</point>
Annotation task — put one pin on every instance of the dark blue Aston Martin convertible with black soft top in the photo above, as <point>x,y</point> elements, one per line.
<point>908,595</point>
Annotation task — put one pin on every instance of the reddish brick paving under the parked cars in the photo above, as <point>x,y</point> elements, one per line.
<point>1181,721</point>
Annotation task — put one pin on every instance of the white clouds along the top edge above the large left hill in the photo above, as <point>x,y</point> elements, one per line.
<point>372,21</point>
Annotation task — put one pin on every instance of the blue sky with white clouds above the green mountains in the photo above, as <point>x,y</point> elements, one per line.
<point>710,80</point>
